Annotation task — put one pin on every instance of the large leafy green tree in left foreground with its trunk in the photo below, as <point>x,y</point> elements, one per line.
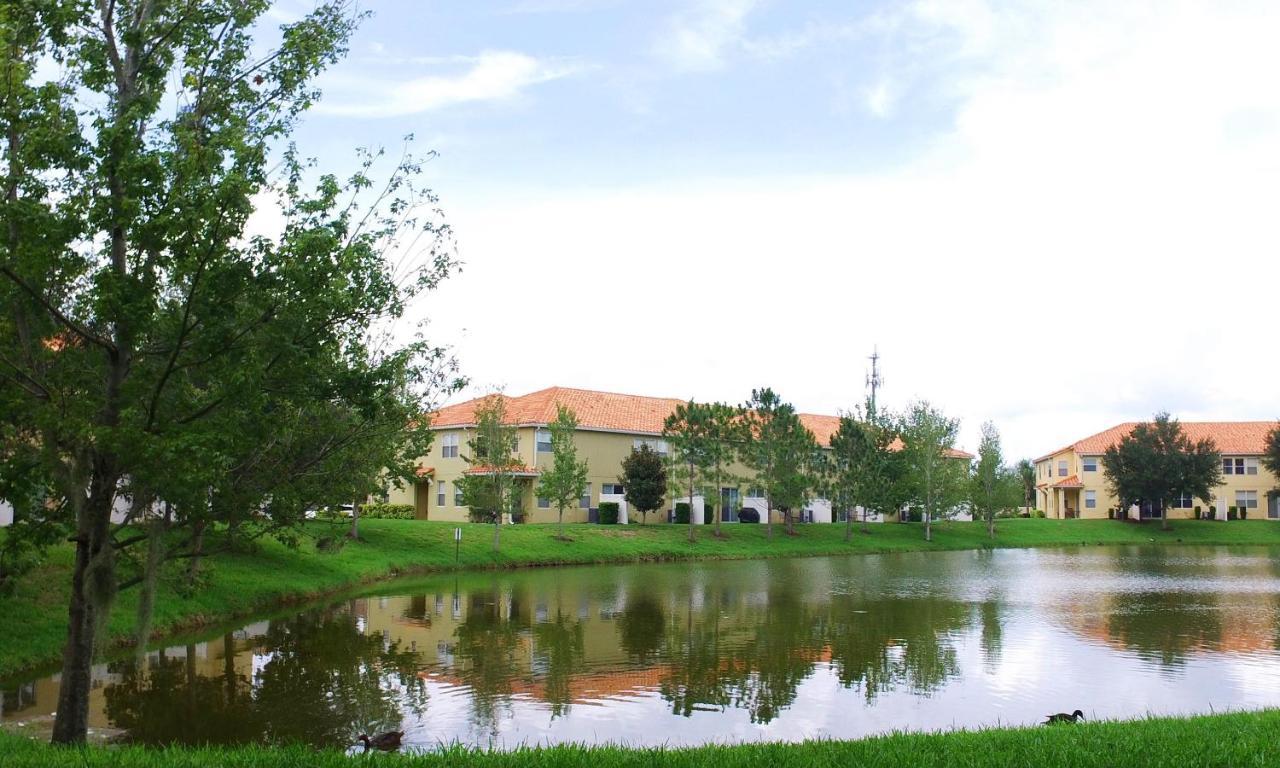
<point>143,319</point>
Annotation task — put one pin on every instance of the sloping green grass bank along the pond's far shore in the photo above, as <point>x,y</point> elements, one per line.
<point>34,620</point>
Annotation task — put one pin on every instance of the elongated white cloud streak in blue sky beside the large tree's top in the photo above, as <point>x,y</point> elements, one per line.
<point>493,76</point>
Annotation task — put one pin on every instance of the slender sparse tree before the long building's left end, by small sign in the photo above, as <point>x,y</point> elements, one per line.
<point>490,484</point>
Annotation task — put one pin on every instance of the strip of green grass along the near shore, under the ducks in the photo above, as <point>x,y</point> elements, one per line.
<point>1235,739</point>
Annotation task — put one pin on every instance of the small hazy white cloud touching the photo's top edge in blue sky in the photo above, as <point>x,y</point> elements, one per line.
<point>701,38</point>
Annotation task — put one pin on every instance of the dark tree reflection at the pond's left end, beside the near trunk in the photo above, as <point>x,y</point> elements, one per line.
<point>323,683</point>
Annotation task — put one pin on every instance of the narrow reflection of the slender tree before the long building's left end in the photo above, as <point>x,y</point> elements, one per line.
<point>487,648</point>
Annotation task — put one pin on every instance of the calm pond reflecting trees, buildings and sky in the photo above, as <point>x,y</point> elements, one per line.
<point>729,652</point>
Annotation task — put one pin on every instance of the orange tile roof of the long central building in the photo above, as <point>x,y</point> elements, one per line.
<point>630,414</point>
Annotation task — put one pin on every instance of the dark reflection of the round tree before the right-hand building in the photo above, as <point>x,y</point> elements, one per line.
<point>1164,627</point>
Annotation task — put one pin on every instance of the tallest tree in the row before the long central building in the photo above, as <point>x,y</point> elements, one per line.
<point>780,452</point>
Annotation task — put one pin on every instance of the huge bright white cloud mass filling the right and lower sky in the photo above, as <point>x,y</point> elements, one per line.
<point>1092,240</point>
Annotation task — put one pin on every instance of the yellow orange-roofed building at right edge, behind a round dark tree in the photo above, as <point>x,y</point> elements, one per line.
<point>1071,482</point>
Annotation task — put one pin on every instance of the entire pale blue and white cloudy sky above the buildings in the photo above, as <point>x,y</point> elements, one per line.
<point>1052,216</point>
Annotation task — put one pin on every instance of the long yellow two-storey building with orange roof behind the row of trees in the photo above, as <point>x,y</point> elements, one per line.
<point>610,427</point>
